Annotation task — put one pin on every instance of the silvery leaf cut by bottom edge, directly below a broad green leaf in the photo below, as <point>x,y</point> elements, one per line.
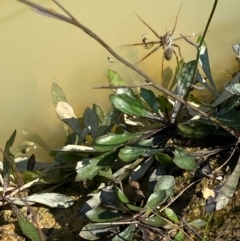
<point>94,231</point>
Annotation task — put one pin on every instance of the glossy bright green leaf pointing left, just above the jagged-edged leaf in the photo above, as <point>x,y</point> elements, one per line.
<point>111,141</point>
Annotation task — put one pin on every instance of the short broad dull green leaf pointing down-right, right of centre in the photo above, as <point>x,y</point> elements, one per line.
<point>183,159</point>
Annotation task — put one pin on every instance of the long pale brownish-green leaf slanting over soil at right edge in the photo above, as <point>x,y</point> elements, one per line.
<point>227,191</point>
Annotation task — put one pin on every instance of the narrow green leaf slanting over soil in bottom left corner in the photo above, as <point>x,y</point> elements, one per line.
<point>27,228</point>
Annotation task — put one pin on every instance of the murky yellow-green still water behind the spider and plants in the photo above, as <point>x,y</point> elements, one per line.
<point>37,51</point>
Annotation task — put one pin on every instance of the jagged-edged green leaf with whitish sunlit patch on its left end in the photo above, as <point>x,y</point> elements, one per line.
<point>88,168</point>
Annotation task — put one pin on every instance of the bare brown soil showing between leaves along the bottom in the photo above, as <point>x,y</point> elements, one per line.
<point>62,224</point>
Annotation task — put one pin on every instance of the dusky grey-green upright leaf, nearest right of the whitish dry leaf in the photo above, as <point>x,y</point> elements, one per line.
<point>91,121</point>
